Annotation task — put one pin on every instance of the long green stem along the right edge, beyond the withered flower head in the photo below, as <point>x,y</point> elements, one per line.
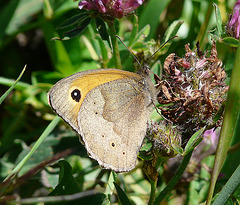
<point>228,129</point>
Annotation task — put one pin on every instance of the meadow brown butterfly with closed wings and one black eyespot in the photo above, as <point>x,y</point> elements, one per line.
<point>109,109</point>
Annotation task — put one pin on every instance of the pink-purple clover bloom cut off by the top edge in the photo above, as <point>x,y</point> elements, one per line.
<point>111,8</point>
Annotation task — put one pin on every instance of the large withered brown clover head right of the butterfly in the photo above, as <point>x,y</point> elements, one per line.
<point>193,89</point>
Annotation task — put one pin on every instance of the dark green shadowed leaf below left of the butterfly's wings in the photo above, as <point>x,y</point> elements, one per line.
<point>67,183</point>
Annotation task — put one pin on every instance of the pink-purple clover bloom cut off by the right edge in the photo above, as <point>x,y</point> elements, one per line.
<point>233,25</point>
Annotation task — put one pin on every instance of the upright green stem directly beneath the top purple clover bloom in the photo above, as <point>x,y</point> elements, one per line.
<point>116,54</point>
